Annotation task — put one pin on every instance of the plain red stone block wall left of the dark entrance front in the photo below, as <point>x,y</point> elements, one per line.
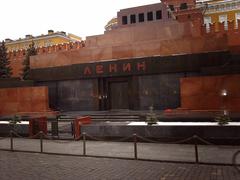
<point>26,99</point>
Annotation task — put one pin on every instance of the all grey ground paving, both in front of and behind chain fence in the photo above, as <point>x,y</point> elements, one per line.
<point>24,166</point>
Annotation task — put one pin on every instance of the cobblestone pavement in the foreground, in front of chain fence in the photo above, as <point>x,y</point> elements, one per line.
<point>34,166</point>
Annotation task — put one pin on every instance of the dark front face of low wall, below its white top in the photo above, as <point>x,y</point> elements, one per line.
<point>165,132</point>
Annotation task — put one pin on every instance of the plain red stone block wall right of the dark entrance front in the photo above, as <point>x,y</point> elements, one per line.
<point>202,93</point>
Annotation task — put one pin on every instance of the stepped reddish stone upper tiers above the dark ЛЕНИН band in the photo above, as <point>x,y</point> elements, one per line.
<point>146,40</point>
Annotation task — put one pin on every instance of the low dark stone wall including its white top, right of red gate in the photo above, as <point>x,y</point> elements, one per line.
<point>167,131</point>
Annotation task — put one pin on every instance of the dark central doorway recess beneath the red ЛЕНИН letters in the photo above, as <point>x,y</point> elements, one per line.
<point>118,93</point>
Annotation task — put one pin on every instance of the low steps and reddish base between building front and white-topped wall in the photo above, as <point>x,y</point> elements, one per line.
<point>178,115</point>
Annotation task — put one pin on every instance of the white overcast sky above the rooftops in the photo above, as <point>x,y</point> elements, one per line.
<point>79,17</point>
